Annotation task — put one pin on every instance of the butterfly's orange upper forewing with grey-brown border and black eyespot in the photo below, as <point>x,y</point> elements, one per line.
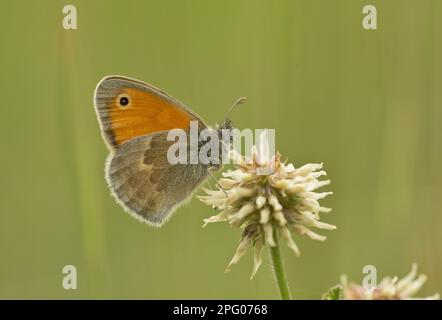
<point>128,108</point>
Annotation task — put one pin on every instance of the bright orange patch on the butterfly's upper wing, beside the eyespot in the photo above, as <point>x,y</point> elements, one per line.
<point>146,113</point>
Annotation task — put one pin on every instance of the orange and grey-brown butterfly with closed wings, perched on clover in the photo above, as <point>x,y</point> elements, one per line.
<point>135,119</point>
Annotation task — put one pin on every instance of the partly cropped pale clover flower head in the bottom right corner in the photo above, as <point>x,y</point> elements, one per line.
<point>388,289</point>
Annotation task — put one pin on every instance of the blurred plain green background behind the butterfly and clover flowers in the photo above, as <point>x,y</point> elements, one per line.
<point>366,103</point>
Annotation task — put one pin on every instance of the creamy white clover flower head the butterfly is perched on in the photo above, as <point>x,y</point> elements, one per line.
<point>269,207</point>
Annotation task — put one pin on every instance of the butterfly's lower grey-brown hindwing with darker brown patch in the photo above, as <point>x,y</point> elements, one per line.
<point>145,183</point>
